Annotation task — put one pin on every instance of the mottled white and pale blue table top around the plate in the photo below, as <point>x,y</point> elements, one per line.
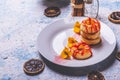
<point>21,21</point>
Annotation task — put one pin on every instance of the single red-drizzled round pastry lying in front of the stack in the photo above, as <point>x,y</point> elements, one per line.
<point>81,51</point>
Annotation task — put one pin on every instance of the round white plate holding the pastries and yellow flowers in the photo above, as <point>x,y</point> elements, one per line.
<point>53,39</point>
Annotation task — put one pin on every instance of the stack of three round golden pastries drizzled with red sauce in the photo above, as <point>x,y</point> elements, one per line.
<point>90,31</point>
